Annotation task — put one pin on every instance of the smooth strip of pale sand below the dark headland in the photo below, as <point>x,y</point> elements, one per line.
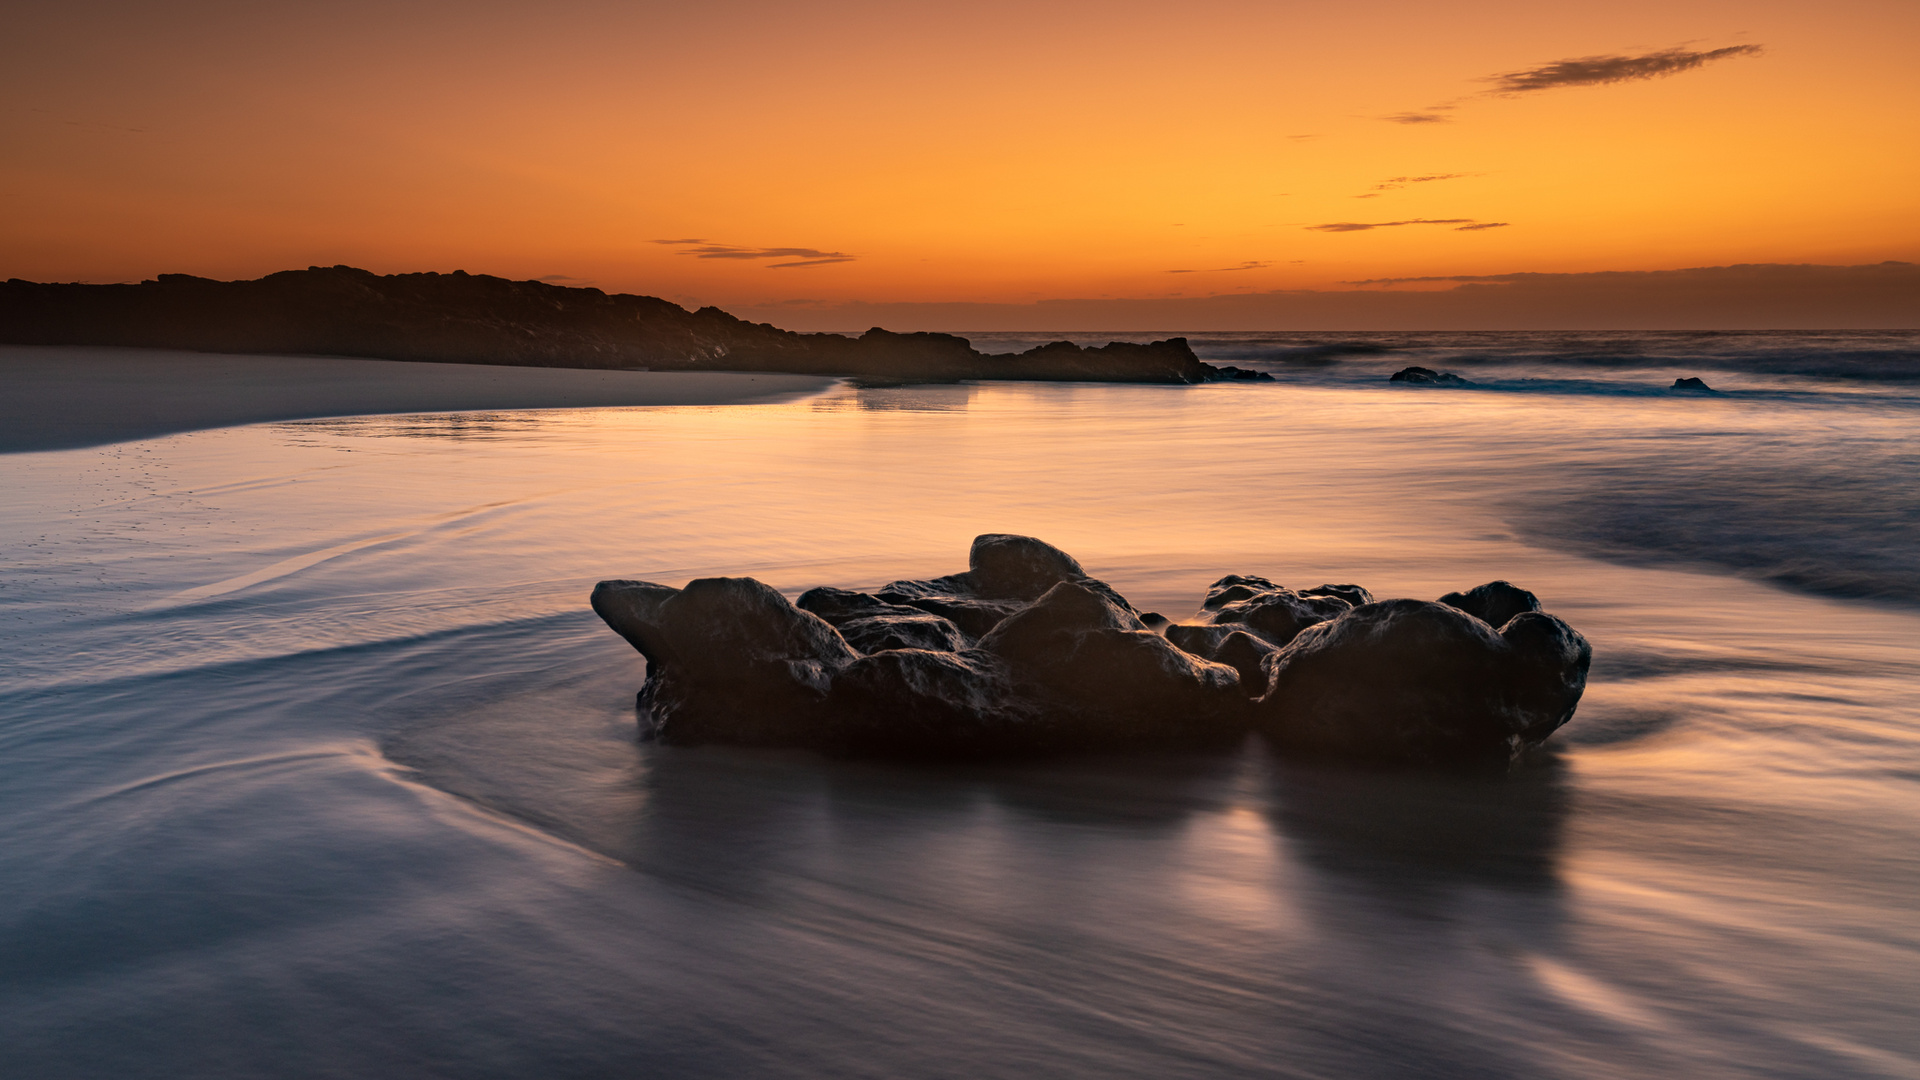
<point>66,397</point>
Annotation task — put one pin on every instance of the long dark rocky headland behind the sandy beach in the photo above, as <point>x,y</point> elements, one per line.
<point>460,318</point>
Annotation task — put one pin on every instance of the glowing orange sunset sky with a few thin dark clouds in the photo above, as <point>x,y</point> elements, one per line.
<point>817,162</point>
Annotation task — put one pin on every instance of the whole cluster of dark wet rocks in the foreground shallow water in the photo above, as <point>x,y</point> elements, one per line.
<point>1026,654</point>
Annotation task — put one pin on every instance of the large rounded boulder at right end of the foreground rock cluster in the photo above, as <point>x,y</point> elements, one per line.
<point>1424,683</point>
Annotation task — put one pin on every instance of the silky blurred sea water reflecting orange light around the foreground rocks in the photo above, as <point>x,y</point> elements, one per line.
<point>316,764</point>
